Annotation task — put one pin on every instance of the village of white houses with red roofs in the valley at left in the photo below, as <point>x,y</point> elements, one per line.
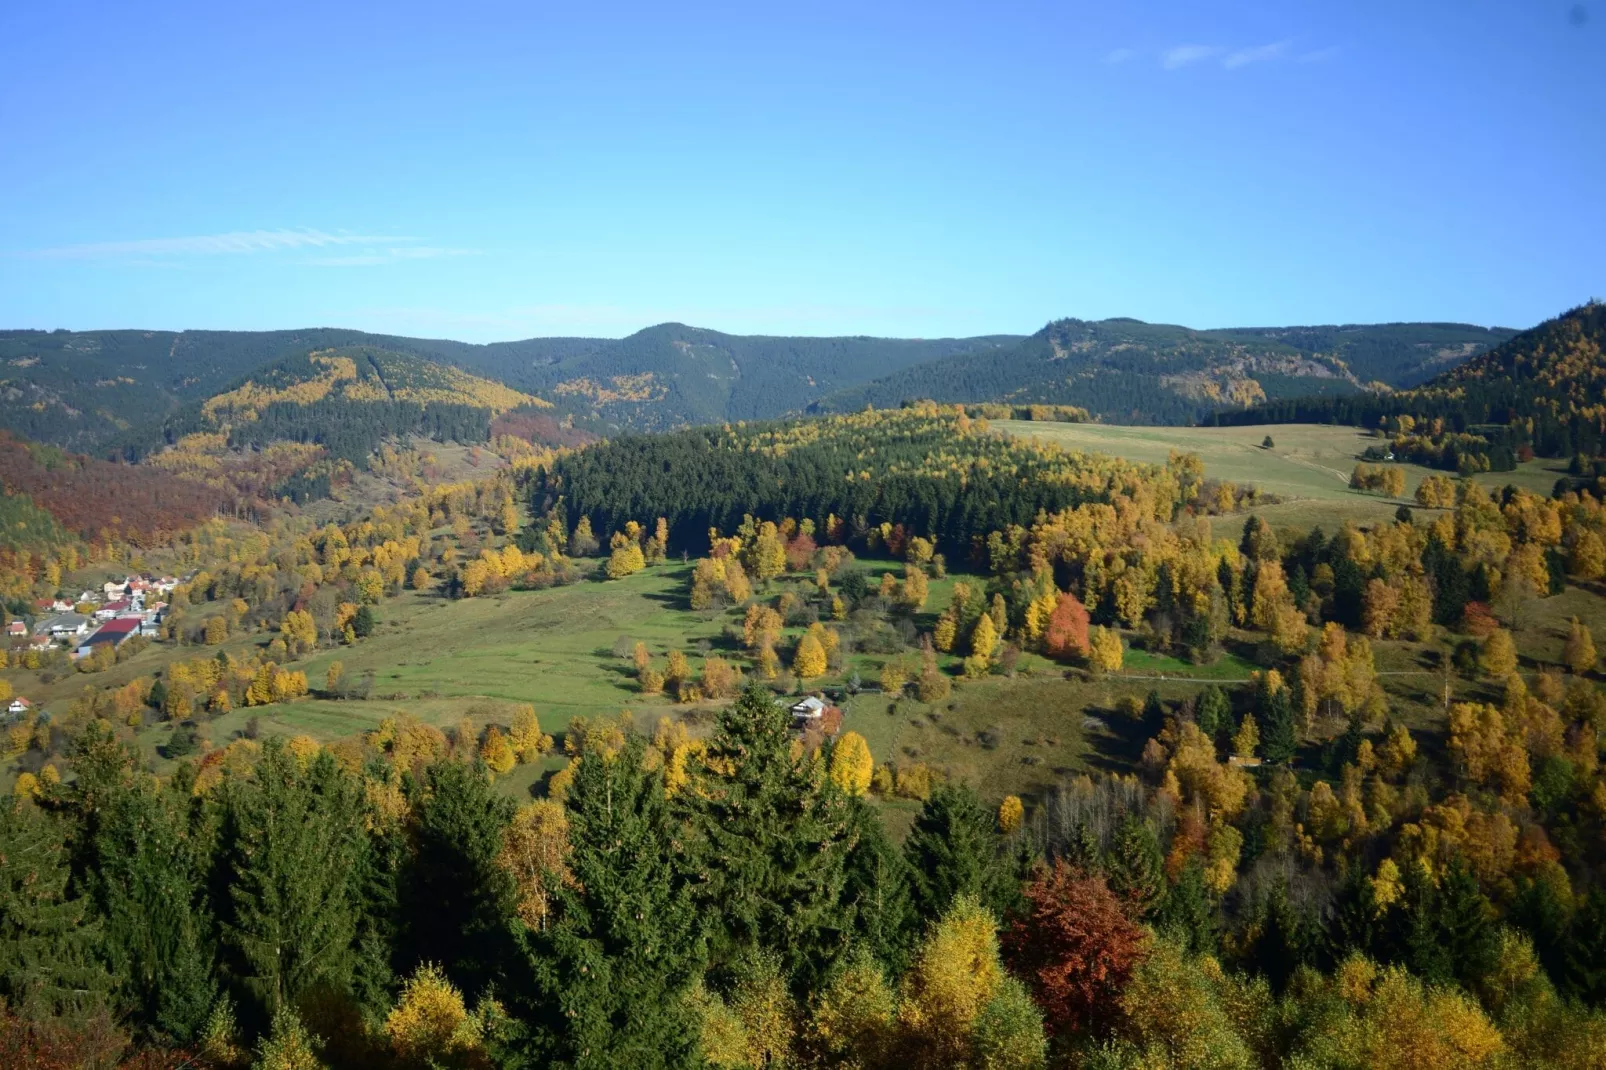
<point>107,618</point>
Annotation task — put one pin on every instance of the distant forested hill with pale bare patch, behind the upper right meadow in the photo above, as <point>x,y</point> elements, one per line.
<point>1135,372</point>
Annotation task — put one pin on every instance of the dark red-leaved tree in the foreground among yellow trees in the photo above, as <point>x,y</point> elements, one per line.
<point>1075,947</point>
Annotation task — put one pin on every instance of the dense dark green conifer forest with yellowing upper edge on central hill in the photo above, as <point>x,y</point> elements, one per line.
<point>932,472</point>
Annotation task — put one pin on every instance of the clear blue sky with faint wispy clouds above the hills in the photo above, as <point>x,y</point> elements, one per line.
<point>927,169</point>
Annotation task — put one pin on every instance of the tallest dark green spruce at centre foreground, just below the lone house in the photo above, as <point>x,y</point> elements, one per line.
<point>773,843</point>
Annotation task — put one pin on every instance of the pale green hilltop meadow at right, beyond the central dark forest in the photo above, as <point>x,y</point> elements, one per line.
<point>1308,467</point>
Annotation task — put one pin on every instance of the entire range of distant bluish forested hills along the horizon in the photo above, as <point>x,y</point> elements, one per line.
<point>91,390</point>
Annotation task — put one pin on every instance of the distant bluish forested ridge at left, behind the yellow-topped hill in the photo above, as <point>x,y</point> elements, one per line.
<point>86,390</point>
